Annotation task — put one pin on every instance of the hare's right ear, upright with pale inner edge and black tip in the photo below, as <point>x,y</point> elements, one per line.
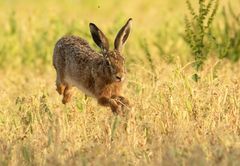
<point>122,35</point>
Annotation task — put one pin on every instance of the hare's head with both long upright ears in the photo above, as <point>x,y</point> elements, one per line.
<point>113,59</point>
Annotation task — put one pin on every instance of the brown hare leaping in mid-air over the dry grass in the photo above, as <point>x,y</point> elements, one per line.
<point>99,75</point>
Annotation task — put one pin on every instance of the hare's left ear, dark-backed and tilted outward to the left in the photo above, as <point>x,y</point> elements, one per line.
<point>99,38</point>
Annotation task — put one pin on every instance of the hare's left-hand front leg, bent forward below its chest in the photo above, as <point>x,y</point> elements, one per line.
<point>109,102</point>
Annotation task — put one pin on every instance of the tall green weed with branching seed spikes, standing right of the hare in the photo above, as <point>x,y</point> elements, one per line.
<point>198,30</point>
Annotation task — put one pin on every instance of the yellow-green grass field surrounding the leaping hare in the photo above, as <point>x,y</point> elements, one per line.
<point>174,120</point>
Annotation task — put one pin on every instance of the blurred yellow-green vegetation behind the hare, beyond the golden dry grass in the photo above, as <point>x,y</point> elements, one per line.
<point>29,29</point>
